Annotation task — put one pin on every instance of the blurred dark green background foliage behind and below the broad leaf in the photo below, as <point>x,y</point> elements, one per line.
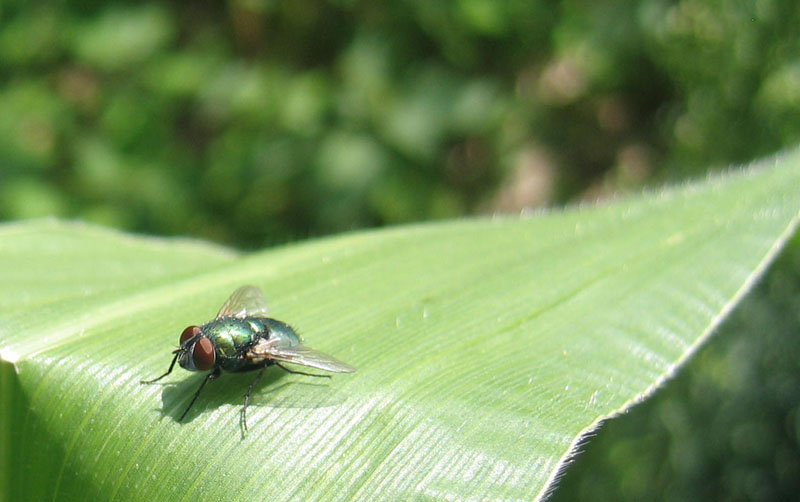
<point>254,122</point>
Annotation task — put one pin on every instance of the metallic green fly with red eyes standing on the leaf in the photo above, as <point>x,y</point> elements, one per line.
<point>242,338</point>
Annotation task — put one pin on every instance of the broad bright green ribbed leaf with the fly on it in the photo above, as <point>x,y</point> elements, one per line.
<point>486,349</point>
